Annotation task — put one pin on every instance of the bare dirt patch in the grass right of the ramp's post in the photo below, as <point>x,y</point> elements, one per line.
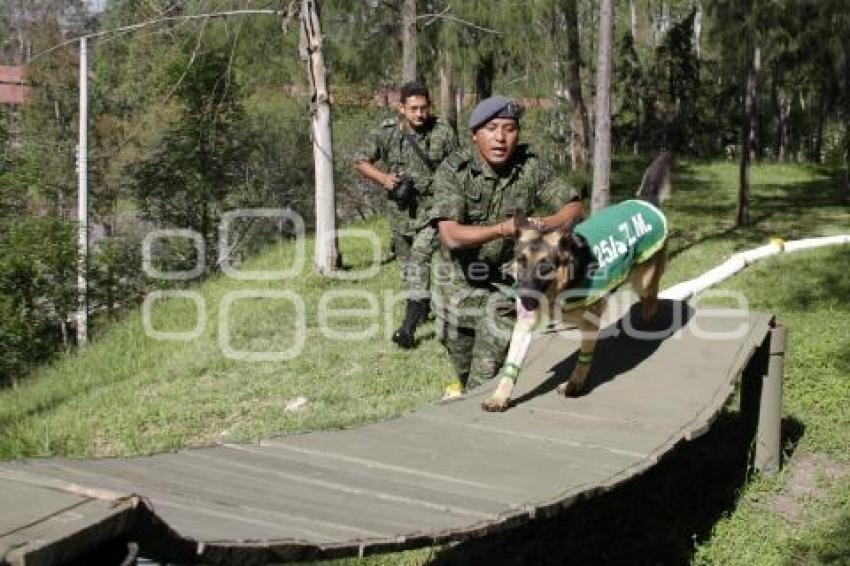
<point>809,478</point>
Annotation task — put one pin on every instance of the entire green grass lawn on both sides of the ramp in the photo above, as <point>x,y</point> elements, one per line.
<point>130,393</point>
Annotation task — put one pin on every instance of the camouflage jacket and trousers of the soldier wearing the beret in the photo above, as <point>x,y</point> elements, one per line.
<point>475,318</point>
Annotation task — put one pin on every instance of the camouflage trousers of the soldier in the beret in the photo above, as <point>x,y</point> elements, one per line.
<point>477,342</point>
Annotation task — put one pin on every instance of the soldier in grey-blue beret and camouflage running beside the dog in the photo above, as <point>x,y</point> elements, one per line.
<point>476,192</point>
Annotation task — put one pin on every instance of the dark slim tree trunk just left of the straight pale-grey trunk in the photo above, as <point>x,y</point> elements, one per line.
<point>579,126</point>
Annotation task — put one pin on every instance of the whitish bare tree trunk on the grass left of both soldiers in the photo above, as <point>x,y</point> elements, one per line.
<point>326,256</point>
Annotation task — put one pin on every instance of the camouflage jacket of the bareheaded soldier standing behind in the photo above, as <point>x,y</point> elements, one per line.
<point>387,145</point>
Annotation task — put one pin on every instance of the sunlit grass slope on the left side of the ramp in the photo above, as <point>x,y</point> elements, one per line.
<point>131,394</point>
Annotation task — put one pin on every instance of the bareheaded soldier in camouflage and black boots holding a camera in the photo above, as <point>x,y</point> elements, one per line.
<point>406,175</point>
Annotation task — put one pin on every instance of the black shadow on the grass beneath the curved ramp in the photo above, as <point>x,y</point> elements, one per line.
<point>656,518</point>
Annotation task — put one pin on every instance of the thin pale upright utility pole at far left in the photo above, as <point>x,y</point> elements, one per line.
<point>83,213</point>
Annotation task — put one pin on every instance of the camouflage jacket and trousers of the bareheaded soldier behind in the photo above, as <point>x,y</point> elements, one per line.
<point>387,145</point>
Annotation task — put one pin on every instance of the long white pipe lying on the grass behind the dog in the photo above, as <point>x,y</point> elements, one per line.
<point>737,262</point>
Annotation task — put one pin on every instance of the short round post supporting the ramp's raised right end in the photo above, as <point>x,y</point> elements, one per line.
<point>768,457</point>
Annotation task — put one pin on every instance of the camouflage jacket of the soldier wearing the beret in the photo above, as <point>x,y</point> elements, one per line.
<point>470,192</point>
